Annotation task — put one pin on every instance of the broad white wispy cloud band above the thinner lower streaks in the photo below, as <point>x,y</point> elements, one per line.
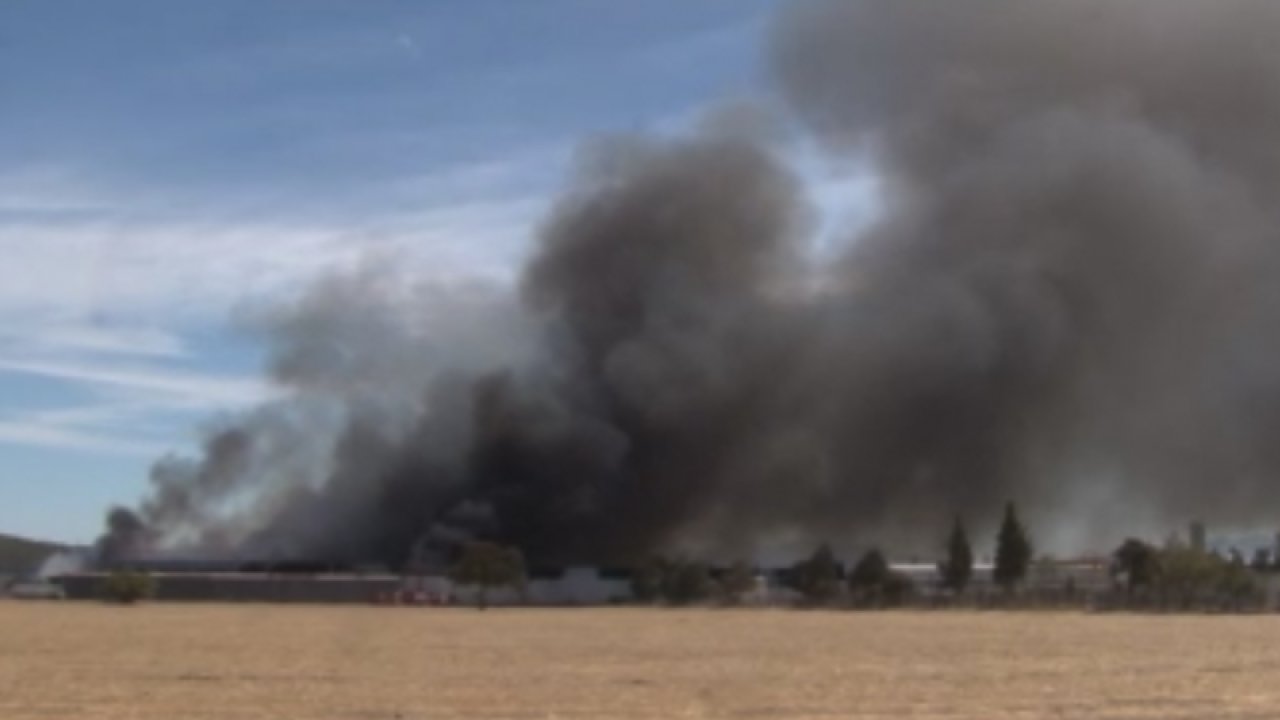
<point>157,270</point>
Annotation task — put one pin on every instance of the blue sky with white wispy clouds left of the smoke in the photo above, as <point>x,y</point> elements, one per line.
<point>166,163</point>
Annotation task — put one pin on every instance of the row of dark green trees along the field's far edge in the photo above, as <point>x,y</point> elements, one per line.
<point>1176,577</point>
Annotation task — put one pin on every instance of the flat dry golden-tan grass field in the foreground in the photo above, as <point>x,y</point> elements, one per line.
<point>171,663</point>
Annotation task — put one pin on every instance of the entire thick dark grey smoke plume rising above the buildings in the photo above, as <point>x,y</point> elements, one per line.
<point>1066,300</point>
